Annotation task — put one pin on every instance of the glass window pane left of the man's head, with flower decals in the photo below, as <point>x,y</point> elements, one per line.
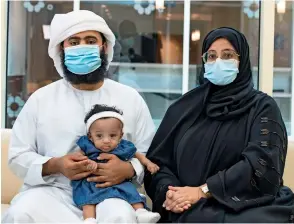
<point>28,64</point>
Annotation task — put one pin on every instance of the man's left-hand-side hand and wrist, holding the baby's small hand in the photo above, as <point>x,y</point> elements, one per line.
<point>74,166</point>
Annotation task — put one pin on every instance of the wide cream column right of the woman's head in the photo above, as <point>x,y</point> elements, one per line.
<point>266,43</point>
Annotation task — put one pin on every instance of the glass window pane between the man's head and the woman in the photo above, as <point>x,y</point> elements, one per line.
<point>148,50</point>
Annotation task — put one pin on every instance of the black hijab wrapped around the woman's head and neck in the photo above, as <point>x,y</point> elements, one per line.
<point>236,98</point>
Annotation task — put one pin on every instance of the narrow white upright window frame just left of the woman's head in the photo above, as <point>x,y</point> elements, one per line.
<point>186,46</point>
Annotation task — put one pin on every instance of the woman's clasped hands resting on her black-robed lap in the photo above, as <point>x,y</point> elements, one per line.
<point>178,198</point>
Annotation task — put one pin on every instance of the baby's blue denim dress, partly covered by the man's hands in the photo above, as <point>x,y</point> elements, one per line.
<point>85,193</point>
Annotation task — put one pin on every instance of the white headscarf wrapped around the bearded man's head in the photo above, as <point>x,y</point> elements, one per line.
<point>65,25</point>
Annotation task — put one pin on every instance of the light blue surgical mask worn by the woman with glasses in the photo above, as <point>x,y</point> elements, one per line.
<point>221,72</point>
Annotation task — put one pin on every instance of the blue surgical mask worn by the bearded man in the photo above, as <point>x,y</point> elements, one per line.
<point>82,59</point>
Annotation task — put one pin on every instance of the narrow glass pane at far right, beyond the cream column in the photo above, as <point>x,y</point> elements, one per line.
<point>283,60</point>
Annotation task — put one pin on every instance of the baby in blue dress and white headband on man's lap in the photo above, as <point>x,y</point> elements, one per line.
<point>104,126</point>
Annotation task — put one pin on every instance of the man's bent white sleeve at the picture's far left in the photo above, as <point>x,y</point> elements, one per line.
<point>23,157</point>
